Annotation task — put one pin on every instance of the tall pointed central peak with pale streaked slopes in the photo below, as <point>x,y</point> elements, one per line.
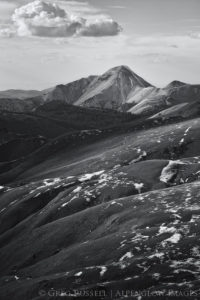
<point>112,89</point>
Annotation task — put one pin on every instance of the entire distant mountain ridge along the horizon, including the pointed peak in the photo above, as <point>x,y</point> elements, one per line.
<point>117,89</point>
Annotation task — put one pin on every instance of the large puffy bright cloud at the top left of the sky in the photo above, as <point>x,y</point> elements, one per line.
<point>45,19</point>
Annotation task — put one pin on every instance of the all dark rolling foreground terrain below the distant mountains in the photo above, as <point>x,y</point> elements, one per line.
<point>107,207</point>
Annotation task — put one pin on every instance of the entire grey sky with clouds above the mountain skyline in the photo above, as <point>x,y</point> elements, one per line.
<point>44,43</point>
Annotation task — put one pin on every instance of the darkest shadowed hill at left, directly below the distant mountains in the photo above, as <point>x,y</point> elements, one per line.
<point>23,133</point>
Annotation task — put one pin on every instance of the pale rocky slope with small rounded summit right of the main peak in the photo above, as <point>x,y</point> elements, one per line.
<point>174,96</point>
